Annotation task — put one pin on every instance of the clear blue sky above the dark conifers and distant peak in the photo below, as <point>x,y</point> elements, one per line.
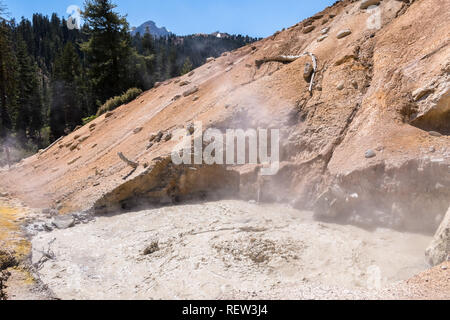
<point>259,18</point>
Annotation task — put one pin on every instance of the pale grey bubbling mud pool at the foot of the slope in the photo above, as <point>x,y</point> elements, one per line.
<point>225,250</point>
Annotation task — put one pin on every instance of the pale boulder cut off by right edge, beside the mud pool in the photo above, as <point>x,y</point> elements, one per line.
<point>439,249</point>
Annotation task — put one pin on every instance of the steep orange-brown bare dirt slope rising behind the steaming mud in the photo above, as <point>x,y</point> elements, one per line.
<point>376,89</point>
